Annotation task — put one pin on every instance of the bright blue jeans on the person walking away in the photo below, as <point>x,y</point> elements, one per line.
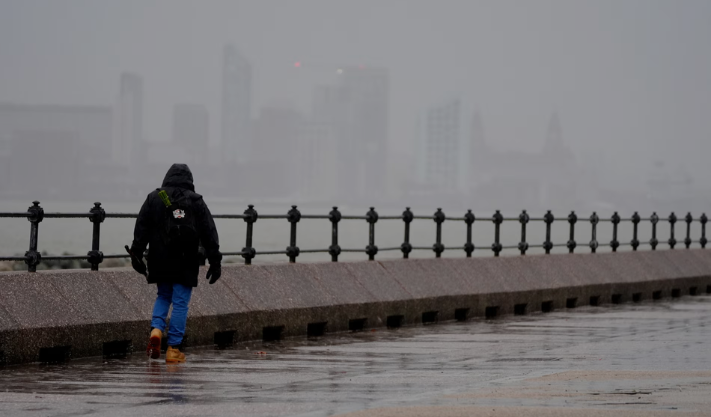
<point>179,296</point>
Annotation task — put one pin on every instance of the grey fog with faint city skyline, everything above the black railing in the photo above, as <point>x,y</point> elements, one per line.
<point>511,105</point>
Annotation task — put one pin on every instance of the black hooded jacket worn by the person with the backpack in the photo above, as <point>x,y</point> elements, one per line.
<point>164,265</point>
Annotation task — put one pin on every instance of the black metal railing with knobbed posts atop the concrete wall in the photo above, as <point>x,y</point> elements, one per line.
<point>35,214</point>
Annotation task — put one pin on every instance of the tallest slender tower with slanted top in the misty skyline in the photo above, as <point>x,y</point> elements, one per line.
<point>236,106</point>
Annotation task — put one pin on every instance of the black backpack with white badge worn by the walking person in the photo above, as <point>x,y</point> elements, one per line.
<point>180,233</point>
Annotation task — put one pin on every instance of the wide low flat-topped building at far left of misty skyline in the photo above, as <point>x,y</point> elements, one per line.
<point>45,148</point>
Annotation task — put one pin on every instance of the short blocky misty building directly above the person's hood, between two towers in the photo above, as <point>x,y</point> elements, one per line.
<point>191,130</point>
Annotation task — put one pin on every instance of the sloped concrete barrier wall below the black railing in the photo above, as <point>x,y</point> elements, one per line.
<point>53,315</point>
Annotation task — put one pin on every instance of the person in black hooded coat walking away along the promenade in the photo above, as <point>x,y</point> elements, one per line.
<point>173,222</point>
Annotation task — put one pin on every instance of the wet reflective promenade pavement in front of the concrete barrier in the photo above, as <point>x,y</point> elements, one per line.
<point>634,359</point>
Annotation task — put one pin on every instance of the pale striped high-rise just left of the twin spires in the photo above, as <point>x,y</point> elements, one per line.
<point>442,155</point>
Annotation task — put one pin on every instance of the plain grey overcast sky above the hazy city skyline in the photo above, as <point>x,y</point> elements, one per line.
<point>632,77</point>
